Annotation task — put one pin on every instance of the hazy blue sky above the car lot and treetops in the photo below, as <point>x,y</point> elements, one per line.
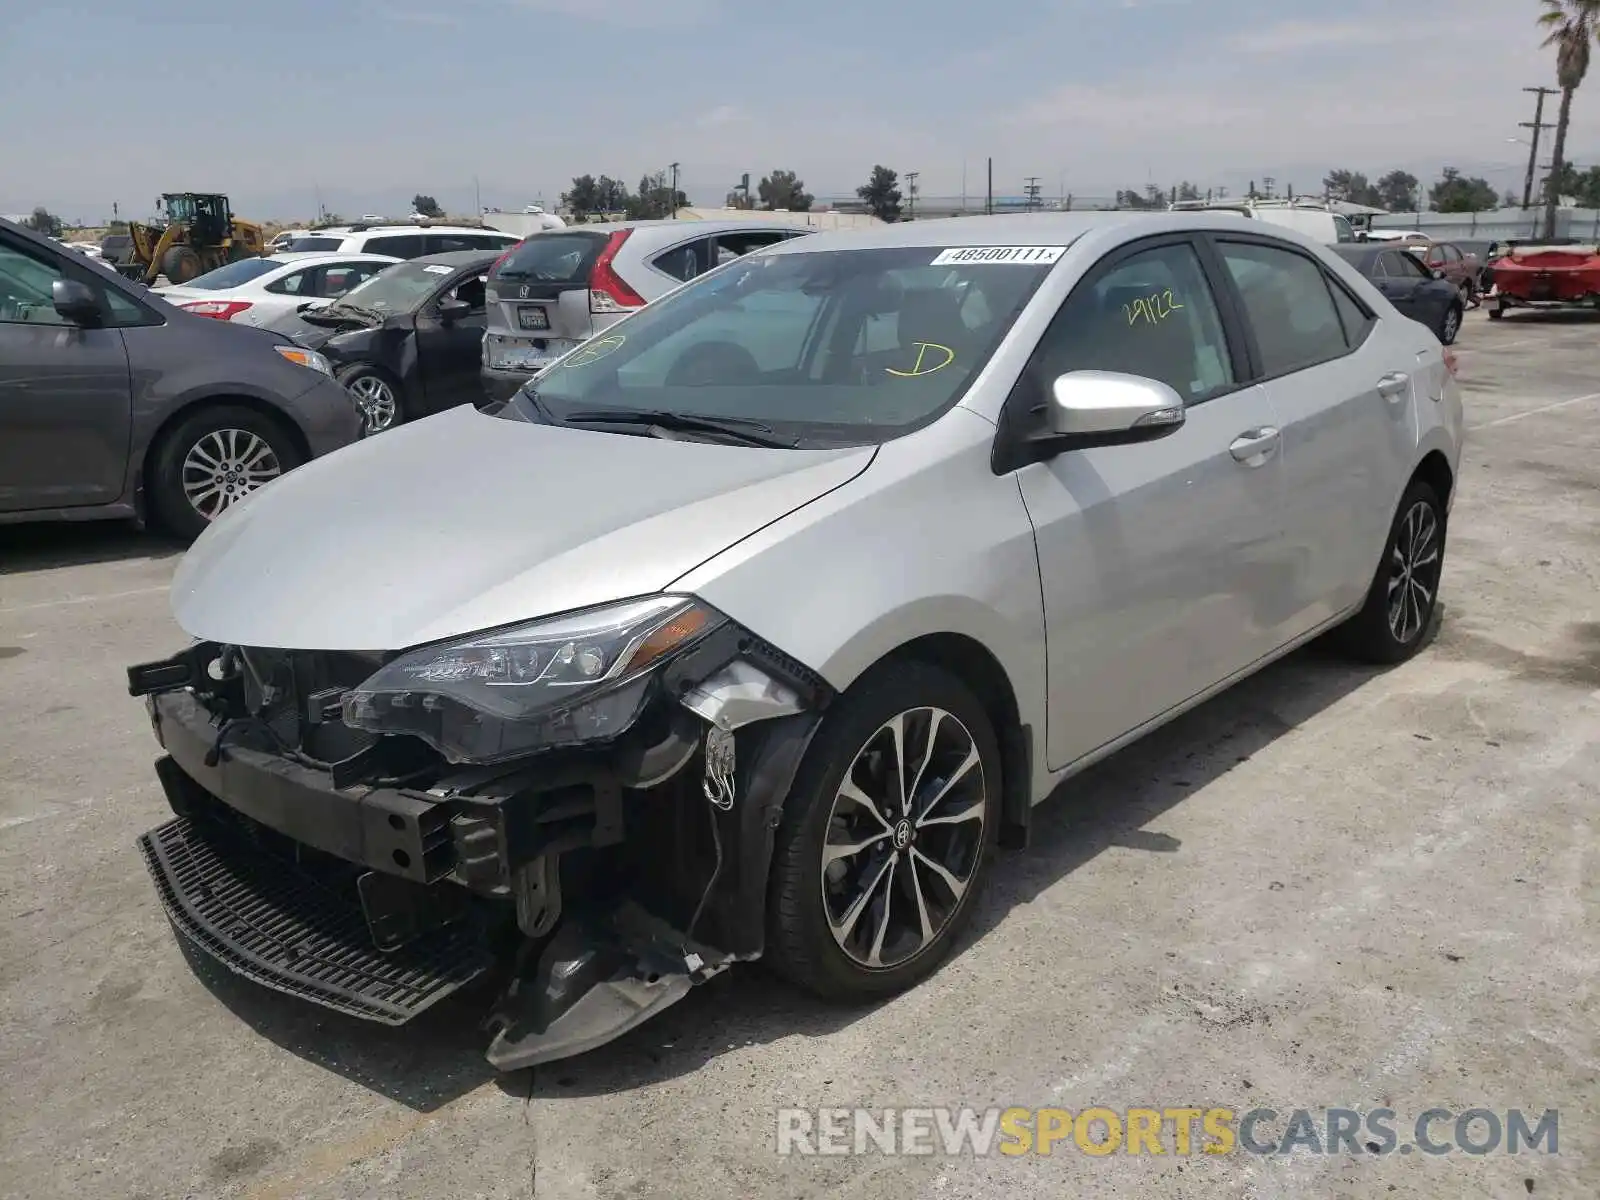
<point>370,102</point>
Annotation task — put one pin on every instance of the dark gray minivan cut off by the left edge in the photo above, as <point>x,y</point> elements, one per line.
<point>116,404</point>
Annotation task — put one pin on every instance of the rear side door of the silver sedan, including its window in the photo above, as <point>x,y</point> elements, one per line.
<point>1342,391</point>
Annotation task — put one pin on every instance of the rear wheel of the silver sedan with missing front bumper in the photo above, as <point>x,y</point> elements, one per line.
<point>1374,634</point>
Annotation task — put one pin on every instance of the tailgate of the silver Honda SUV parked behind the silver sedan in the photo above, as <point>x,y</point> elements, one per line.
<point>540,298</point>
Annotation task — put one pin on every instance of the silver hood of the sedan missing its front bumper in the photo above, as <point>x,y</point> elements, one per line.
<point>465,522</point>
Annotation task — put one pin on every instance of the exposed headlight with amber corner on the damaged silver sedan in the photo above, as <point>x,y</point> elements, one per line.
<point>556,682</point>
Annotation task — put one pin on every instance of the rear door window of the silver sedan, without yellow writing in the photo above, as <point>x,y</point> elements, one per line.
<point>1289,305</point>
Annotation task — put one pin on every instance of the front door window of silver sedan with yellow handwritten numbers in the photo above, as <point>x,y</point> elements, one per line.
<point>1153,316</point>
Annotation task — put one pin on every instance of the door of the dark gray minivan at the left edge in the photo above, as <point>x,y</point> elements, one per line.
<point>65,391</point>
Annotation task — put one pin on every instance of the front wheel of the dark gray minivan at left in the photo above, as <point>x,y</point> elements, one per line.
<point>226,436</point>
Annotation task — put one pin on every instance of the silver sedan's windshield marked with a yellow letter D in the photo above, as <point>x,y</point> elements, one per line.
<point>846,346</point>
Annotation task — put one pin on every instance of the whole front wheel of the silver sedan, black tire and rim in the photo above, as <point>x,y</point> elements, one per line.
<point>854,742</point>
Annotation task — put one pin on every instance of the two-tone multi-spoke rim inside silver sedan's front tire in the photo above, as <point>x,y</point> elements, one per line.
<point>898,855</point>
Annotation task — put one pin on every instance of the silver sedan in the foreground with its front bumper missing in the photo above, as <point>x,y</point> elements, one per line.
<point>761,618</point>
